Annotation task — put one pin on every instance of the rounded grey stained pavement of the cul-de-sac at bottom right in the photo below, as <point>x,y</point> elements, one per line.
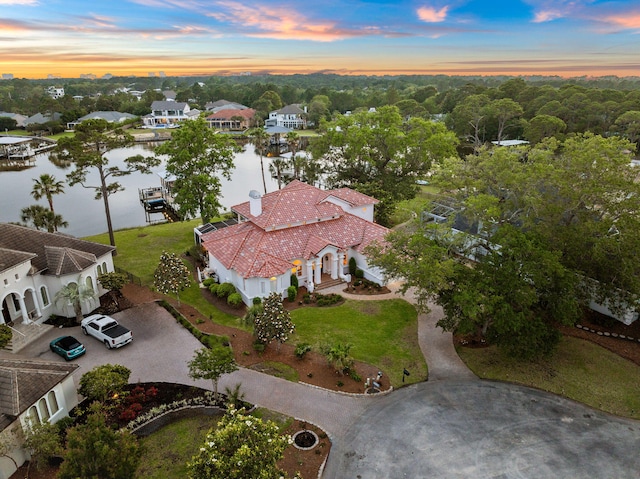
<point>481,429</point>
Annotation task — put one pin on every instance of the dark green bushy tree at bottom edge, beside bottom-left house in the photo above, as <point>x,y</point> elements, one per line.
<point>94,450</point>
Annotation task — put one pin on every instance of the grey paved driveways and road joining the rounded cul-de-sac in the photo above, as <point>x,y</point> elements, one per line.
<point>454,425</point>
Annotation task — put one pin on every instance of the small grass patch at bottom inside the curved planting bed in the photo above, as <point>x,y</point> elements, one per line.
<point>167,451</point>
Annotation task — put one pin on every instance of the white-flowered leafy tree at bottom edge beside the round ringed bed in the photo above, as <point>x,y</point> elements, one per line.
<point>241,447</point>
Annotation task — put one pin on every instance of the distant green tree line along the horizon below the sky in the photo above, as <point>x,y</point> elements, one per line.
<point>476,108</point>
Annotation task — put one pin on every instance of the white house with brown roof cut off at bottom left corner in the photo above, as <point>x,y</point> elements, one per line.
<point>31,392</point>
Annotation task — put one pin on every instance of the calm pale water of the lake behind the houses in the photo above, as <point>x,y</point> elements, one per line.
<point>86,215</point>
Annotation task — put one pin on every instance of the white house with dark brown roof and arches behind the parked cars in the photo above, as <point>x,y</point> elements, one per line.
<point>35,265</point>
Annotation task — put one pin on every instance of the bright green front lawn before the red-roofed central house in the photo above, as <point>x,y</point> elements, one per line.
<point>382,333</point>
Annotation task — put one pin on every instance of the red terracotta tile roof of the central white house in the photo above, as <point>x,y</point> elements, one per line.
<point>252,249</point>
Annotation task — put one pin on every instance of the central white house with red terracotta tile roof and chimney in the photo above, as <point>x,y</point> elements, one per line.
<point>300,230</point>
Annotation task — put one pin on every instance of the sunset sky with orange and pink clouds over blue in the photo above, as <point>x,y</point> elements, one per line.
<point>68,38</point>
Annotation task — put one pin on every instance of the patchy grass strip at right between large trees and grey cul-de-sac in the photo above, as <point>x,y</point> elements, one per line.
<point>580,370</point>
